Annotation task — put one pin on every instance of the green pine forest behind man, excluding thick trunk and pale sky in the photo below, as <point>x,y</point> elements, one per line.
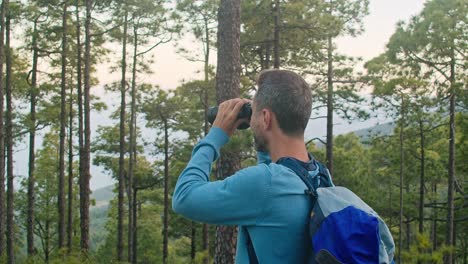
<point>413,171</point>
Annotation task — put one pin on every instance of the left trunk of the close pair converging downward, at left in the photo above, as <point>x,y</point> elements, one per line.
<point>80,109</point>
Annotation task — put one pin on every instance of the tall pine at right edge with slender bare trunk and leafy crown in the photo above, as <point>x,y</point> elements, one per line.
<point>433,40</point>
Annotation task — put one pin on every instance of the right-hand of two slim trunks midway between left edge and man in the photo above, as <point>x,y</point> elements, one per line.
<point>132,148</point>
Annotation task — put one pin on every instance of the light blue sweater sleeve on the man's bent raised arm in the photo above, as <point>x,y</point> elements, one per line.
<point>236,200</point>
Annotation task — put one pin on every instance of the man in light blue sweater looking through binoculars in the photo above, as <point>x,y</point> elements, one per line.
<point>266,201</point>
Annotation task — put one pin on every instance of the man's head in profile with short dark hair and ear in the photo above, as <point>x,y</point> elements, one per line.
<point>282,104</point>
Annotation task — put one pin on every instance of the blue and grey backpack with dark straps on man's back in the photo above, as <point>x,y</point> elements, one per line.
<point>342,227</point>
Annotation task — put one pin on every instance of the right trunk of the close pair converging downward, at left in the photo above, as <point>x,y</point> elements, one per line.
<point>84,207</point>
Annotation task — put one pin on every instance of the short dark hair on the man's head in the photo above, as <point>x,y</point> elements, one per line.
<point>287,95</point>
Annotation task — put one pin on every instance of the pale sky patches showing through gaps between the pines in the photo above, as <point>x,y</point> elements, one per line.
<point>170,69</point>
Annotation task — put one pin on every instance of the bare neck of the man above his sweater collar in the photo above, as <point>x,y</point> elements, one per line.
<point>285,146</point>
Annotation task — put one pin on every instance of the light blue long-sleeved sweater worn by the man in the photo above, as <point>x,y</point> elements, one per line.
<point>267,199</point>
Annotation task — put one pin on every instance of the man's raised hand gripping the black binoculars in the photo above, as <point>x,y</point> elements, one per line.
<point>226,118</point>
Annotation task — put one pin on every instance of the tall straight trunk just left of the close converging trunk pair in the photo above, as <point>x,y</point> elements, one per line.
<point>63,121</point>
